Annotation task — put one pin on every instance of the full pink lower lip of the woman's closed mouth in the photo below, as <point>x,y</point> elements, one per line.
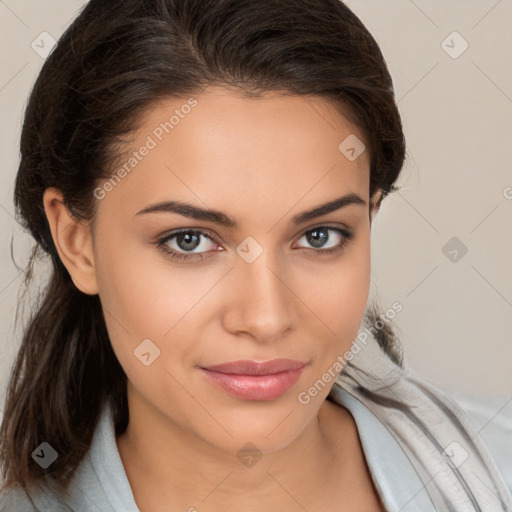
<point>254,387</point>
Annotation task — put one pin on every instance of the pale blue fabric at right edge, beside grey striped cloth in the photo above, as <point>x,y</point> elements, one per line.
<point>492,418</point>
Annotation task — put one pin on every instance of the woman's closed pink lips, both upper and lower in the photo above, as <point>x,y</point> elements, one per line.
<point>253,380</point>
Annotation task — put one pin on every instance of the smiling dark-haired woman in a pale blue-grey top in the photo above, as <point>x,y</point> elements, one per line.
<point>204,176</point>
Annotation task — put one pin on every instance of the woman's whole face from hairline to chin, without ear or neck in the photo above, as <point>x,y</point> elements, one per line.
<point>274,285</point>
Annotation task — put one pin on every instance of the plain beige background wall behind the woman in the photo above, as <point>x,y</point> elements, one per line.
<point>456,322</point>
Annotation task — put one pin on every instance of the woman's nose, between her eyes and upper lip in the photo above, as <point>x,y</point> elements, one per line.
<point>262,305</point>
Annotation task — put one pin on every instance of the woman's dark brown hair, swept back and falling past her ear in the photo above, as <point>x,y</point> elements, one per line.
<point>111,64</point>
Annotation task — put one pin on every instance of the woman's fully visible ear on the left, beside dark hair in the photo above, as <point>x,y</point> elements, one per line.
<point>73,241</point>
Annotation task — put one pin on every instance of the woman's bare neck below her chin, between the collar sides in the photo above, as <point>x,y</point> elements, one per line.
<point>181,467</point>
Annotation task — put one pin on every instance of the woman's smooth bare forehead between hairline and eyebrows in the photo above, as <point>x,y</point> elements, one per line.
<point>225,147</point>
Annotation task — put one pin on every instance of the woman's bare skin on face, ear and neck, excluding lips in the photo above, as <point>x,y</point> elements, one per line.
<point>261,161</point>
